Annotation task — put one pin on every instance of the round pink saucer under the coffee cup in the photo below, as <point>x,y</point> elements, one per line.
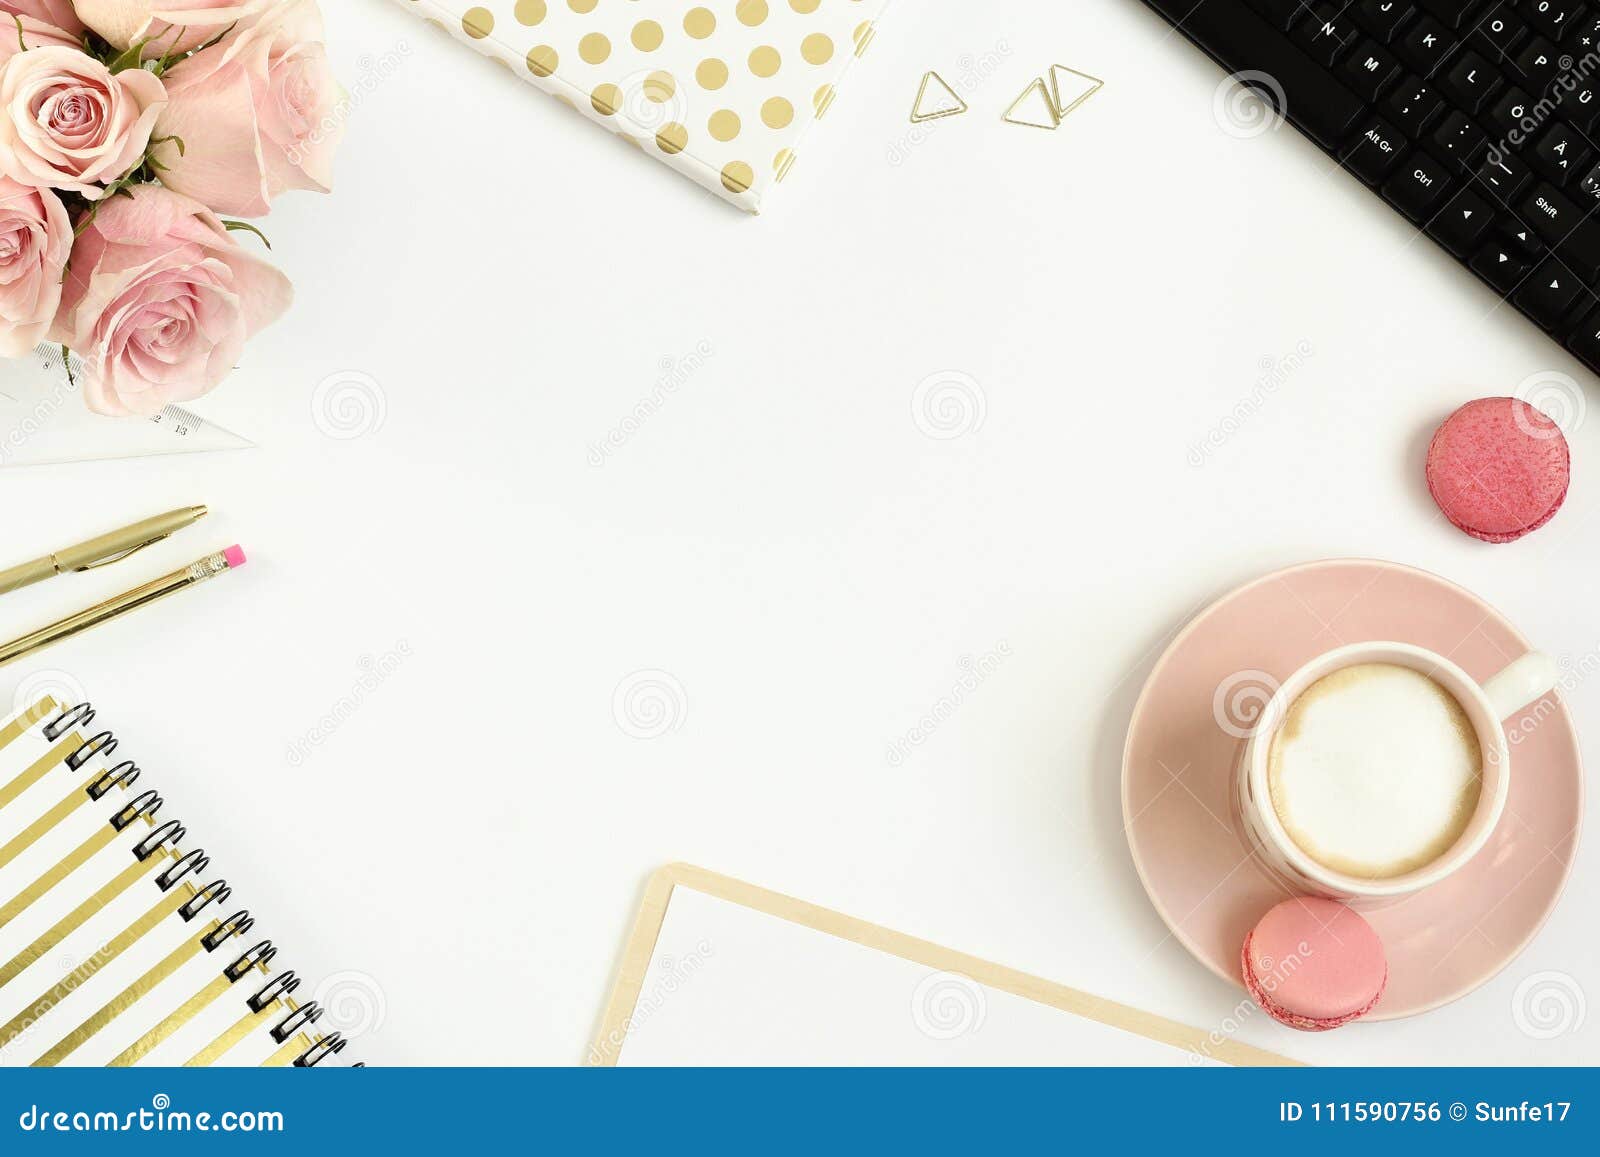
<point>1177,798</point>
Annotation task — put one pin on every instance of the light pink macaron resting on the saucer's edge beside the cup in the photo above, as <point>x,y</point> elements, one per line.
<point>1314,964</point>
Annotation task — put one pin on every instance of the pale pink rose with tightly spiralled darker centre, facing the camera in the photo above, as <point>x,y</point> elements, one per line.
<point>66,122</point>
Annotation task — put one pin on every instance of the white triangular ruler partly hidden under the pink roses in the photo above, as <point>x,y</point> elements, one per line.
<point>44,420</point>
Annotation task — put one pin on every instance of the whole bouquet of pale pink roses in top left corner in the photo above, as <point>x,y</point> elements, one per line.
<point>127,127</point>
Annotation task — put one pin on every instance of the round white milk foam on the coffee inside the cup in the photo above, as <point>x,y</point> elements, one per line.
<point>1375,772</point>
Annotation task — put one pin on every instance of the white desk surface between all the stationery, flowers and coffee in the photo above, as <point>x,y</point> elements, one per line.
<point>782,537</point>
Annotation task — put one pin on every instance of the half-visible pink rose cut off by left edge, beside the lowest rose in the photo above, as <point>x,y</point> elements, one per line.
<point>36,238</point>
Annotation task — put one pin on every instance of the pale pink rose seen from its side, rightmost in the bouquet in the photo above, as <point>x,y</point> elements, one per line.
<point>257,114</point>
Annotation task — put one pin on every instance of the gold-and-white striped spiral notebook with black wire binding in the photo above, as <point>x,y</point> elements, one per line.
<point>118,943</point>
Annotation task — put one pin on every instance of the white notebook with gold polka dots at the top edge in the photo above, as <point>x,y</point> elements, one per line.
<point>721,90</point>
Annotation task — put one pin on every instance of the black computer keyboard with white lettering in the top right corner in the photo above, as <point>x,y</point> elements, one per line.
<point>1476,119</point>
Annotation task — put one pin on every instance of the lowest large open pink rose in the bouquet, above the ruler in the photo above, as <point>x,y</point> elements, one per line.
<point>161,300</point>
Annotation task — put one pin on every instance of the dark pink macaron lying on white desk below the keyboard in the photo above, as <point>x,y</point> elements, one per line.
<point>1498,470</point>
